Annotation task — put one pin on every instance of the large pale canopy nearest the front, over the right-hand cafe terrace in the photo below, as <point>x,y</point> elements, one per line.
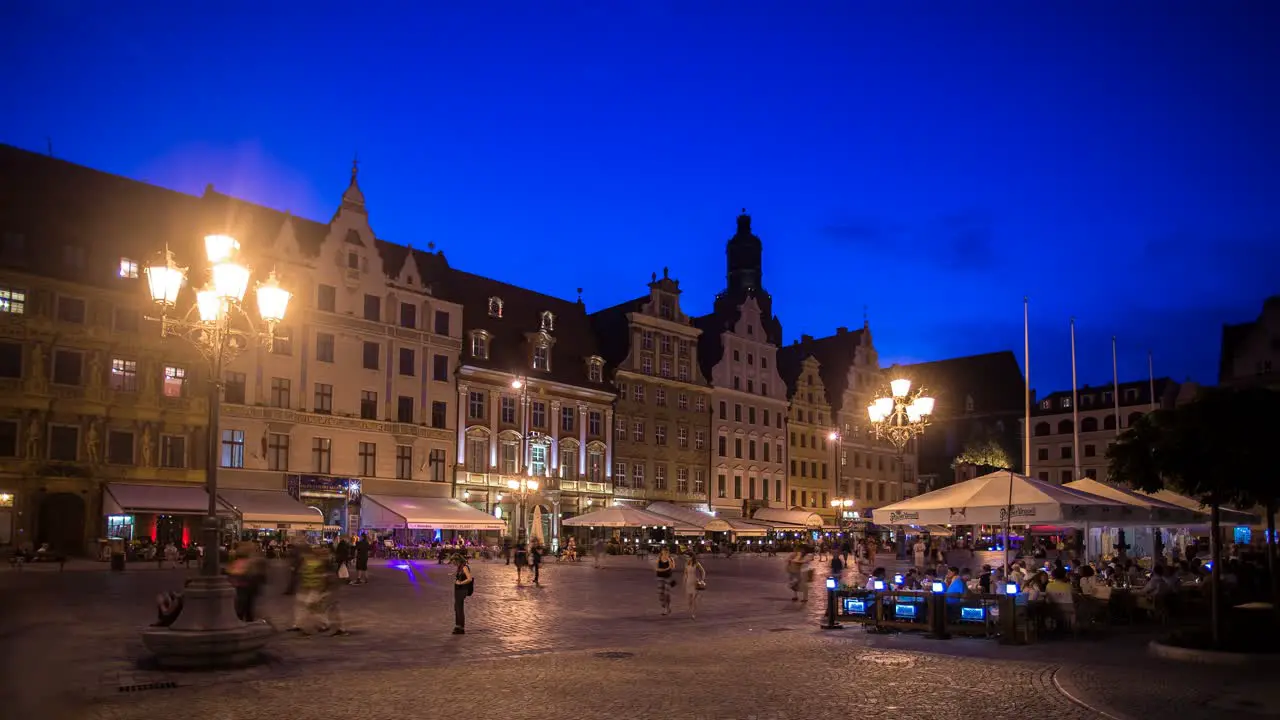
<point>993,499</point>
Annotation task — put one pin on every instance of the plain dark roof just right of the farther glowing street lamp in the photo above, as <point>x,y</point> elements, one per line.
<point>994,381</point>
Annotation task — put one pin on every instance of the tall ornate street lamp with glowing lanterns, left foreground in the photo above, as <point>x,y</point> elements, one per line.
<point>218,325</point>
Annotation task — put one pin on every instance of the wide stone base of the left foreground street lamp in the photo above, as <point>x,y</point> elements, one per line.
<point>208,634</point>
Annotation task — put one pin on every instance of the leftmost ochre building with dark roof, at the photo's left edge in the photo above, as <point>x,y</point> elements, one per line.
<point>90,394</point>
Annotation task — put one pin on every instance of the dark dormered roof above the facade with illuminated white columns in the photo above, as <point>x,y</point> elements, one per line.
<point>522,315</point>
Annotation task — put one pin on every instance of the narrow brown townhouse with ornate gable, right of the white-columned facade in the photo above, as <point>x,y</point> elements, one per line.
<point>661,425</point>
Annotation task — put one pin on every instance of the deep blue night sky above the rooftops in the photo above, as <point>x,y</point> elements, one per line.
<point>936,162</point>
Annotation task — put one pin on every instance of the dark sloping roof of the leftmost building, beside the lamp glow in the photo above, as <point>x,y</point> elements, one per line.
<point>52,203</point>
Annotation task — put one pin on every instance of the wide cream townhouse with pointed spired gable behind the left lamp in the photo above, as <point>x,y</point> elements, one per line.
<point>358,397</point>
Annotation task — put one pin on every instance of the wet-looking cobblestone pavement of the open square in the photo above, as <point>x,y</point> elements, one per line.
<point>74,645</point>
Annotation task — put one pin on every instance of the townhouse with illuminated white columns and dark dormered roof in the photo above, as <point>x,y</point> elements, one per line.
<point>533,403</point>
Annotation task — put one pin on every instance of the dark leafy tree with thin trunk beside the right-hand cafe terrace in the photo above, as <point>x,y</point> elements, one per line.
<point>1203,450</point>
